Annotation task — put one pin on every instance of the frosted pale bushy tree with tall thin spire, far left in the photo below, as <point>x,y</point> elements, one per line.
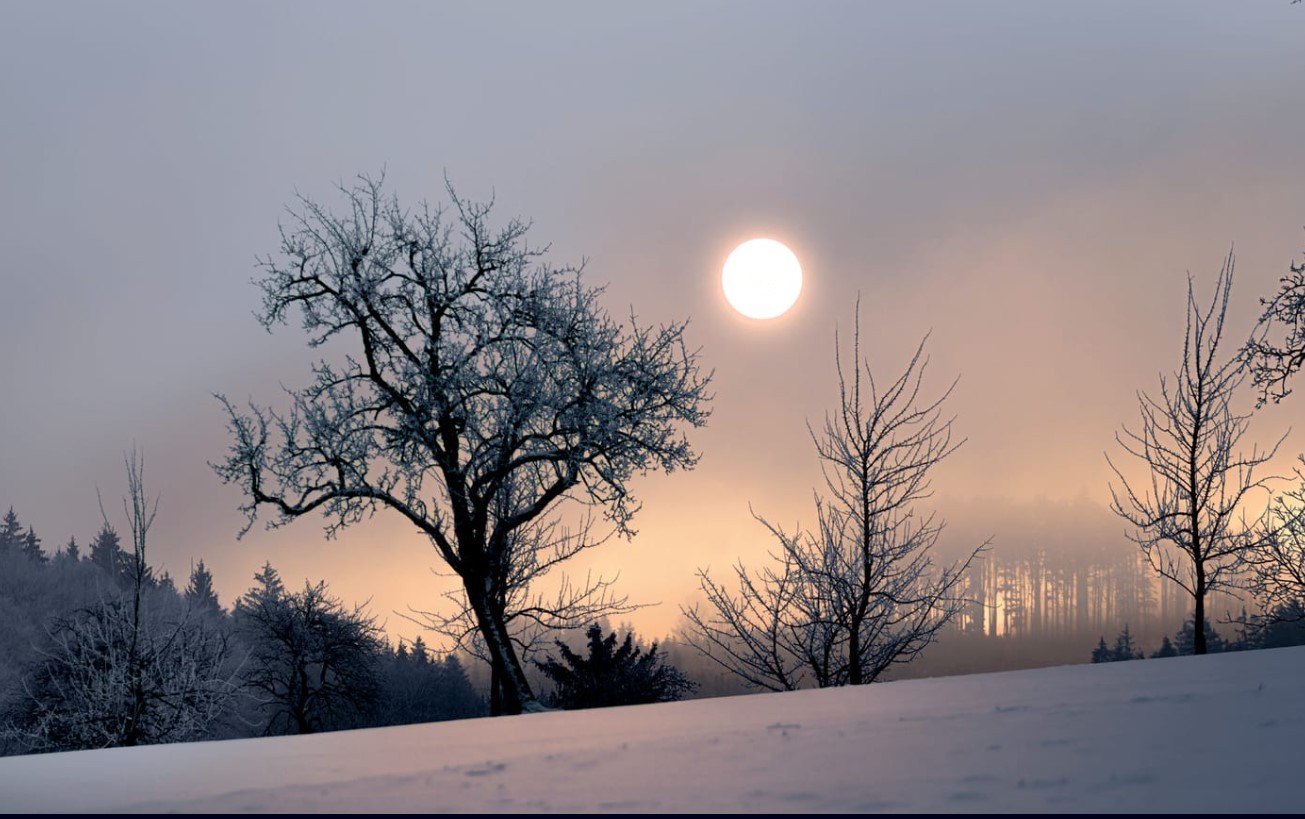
<point>125,672</point>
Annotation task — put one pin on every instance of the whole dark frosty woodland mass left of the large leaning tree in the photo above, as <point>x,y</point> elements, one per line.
<point>104,651</point>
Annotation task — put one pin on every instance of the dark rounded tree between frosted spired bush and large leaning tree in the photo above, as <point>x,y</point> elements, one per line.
<point>314,664</point>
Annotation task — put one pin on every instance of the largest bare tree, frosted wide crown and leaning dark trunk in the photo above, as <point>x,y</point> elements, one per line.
<point>485,387</point>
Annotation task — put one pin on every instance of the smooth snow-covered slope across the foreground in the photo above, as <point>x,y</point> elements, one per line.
<point>1195,735</point>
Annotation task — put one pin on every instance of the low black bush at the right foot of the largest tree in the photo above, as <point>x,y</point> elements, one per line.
<point>613,675</point>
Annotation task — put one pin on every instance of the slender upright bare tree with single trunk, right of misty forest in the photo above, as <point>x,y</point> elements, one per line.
<point>1190,514</point>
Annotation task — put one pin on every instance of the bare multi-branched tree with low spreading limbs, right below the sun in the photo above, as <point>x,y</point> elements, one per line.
<point>862,593</point>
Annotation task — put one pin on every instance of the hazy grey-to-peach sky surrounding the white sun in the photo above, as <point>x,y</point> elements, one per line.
<point>1030,181</point>
